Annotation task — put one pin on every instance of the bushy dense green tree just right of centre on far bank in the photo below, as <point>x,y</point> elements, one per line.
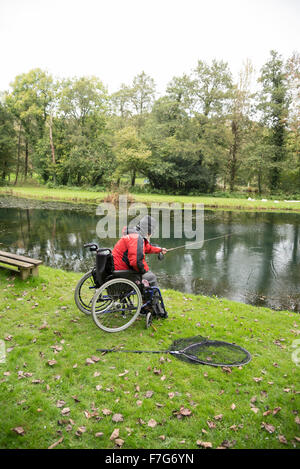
<point>175,164</point>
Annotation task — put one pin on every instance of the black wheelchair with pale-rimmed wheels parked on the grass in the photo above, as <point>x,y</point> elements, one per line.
<point>115,298</point>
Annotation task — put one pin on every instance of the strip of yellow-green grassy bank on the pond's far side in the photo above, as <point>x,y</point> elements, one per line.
<point>85,196</point>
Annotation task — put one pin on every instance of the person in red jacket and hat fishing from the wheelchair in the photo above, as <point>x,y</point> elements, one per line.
<point>129,252</point>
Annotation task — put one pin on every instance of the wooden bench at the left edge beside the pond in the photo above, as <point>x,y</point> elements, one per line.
<point>25,265</point>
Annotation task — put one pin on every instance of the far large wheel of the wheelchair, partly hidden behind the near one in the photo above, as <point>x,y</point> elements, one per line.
<point>84,292</point>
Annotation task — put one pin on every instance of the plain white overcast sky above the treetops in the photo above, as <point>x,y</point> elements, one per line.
<point>117,39</point>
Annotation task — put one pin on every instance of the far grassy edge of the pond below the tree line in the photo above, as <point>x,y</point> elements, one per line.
<point>214,203</point>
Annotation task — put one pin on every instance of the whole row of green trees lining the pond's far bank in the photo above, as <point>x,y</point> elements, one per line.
<point>205,133</point>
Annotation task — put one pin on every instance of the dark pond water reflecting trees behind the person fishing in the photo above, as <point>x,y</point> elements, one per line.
<point>258,264</point>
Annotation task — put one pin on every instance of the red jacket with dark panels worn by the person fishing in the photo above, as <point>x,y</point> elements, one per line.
<point>129,253</point>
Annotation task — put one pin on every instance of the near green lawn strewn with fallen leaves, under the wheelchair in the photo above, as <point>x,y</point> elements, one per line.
<point>40,313</point>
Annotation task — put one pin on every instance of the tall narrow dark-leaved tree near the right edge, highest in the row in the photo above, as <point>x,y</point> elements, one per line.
<point>274,105</point>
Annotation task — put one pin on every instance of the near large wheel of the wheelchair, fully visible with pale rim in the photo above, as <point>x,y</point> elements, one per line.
<point>124,302</point>
